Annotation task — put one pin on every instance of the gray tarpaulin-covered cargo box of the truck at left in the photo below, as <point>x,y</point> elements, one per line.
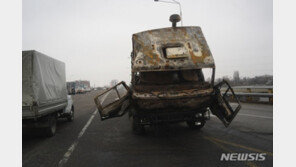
<point>43,84</point>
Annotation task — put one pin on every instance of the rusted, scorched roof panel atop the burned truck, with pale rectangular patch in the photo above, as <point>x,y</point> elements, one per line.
<point>175,48</point>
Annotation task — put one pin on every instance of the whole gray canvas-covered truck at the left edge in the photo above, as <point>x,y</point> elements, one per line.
<point>44,92</point>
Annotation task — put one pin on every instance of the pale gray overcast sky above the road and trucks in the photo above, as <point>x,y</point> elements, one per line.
<point>93,37</point>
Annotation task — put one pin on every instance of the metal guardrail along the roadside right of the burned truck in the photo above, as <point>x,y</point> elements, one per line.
<point>252,94</point>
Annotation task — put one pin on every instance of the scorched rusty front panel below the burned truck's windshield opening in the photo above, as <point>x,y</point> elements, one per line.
<point>167,98</point>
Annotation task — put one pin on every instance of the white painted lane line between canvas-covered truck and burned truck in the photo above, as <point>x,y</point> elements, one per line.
<point>72,147</point>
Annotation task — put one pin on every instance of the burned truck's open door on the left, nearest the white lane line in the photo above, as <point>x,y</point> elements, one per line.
<point>113,102</point>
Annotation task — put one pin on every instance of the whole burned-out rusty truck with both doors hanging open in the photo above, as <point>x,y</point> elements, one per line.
<point>168,83</point>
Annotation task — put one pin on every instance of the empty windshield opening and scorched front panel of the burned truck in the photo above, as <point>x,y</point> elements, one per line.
<point>162,90</point>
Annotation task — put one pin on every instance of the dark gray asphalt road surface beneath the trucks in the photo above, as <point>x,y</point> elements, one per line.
<point>88,141</point>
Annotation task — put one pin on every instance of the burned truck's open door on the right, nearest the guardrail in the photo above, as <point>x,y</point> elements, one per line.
<point>220,105</point>
